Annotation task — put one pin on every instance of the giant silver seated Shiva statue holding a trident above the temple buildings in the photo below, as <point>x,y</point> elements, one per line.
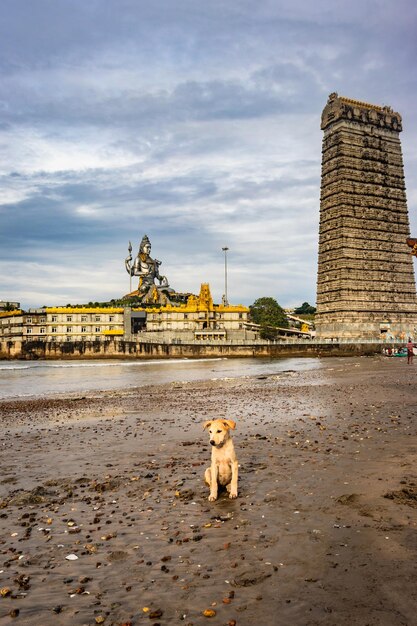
<point>153,288</point>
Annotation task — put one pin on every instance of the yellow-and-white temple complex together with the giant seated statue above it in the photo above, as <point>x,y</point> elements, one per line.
<point>153,312</point>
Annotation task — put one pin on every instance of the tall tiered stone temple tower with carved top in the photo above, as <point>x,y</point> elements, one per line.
<point>365,285</point>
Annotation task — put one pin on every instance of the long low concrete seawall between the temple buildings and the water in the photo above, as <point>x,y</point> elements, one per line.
<point>143,350</point>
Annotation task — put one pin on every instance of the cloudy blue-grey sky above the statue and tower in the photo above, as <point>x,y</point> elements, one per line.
<point>195,122</point>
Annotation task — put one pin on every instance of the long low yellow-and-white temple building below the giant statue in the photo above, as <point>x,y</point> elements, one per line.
<point>199,319</point>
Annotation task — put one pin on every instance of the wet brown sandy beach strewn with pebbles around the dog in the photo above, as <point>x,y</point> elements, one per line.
<point>324,530</point>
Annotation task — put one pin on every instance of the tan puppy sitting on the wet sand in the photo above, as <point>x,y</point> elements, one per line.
<point>224,467</point>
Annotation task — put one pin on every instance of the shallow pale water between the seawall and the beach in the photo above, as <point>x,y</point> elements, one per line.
<point>42,378</point>
